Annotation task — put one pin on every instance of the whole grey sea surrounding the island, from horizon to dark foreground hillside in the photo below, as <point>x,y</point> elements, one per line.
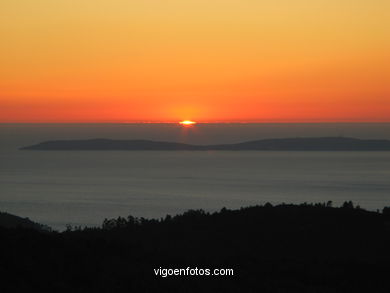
<point>82,188</point>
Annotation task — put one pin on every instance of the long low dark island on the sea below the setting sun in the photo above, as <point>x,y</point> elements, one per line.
<point>281,144</point>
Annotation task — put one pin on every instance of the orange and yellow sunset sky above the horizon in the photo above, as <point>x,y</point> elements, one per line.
<point>202,60</point>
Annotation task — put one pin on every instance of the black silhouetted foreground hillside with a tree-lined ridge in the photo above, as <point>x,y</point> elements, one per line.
<point>285,248</point>
